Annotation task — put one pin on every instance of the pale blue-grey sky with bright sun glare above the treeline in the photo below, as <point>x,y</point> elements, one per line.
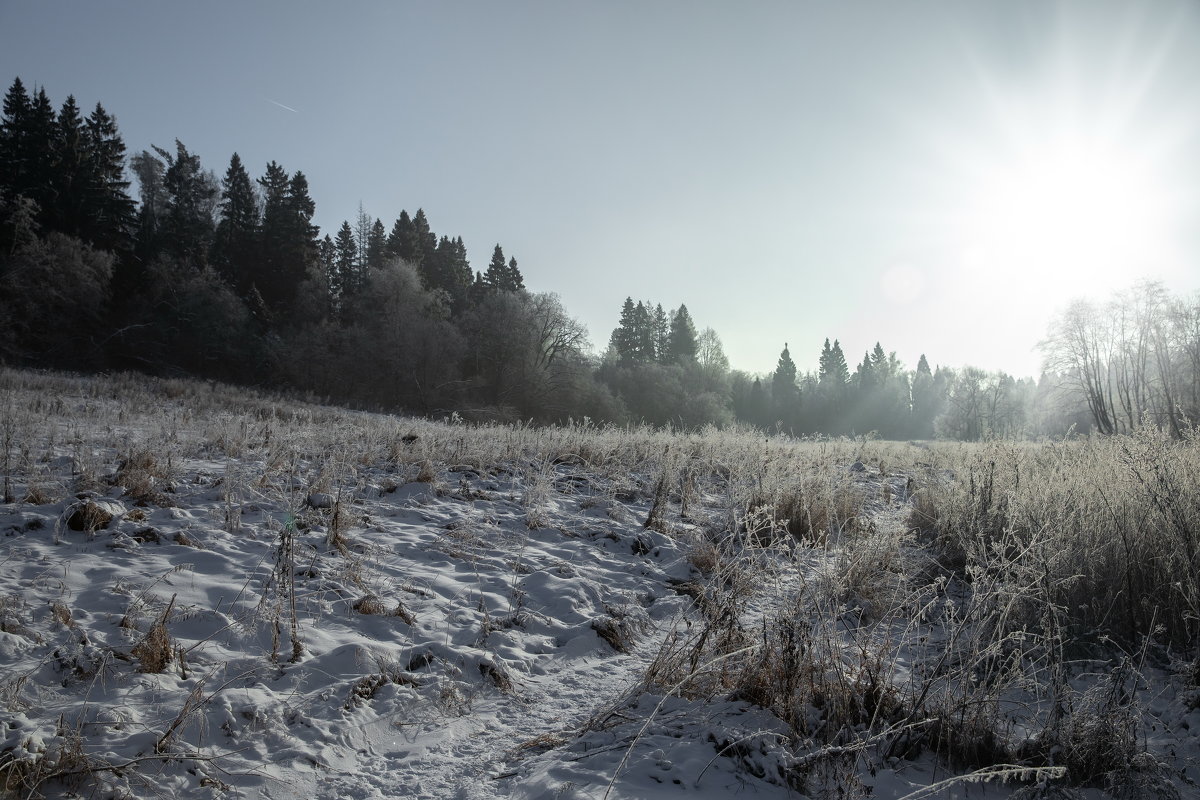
<point>941,178</point>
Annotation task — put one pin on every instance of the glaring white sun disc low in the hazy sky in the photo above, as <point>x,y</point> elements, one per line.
<point>1067,212</point>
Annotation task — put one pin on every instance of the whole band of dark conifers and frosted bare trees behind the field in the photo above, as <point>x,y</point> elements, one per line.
<point>226,276</point>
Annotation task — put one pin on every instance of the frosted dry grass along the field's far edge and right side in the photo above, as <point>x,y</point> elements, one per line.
<point>904,640</point>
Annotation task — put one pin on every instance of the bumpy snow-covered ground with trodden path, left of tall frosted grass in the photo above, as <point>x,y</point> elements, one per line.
<point>265,617</point>
